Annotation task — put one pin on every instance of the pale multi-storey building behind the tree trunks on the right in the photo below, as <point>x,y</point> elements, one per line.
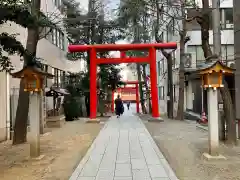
<point>194,54</point>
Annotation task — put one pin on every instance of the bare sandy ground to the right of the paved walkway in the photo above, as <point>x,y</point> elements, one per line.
<point>183,145</point>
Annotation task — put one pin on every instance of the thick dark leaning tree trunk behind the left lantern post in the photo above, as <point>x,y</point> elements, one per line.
<point>36,31</point>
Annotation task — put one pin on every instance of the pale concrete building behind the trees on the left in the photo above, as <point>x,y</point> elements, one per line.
<point>51,50</point>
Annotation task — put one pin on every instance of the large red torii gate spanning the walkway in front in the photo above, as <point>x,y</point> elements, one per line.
<point>94,61</point>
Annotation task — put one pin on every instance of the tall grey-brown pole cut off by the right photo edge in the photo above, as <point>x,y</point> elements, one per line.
<point>236,20</point>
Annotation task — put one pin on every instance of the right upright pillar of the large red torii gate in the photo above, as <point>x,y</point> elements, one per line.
<point>153,79</point>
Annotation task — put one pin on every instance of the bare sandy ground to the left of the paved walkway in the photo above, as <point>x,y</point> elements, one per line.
<point>62,148</point>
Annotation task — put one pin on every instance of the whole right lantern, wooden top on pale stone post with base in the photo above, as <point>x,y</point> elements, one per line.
<point>212,80</point>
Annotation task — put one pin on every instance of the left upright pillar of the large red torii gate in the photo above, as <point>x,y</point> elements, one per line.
<point>93,84</point>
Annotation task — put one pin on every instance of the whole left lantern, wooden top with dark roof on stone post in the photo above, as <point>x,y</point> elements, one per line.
<point>33,81</point>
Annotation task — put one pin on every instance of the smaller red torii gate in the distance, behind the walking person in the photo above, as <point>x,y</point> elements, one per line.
<point>136,89</point>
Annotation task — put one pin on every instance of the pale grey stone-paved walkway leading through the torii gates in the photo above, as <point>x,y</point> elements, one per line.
<point>124,150</point>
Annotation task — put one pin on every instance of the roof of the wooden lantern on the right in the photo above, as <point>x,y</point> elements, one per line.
<point>210,67</point>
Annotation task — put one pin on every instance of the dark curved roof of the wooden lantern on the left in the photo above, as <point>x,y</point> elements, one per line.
<point>32,70</point>
